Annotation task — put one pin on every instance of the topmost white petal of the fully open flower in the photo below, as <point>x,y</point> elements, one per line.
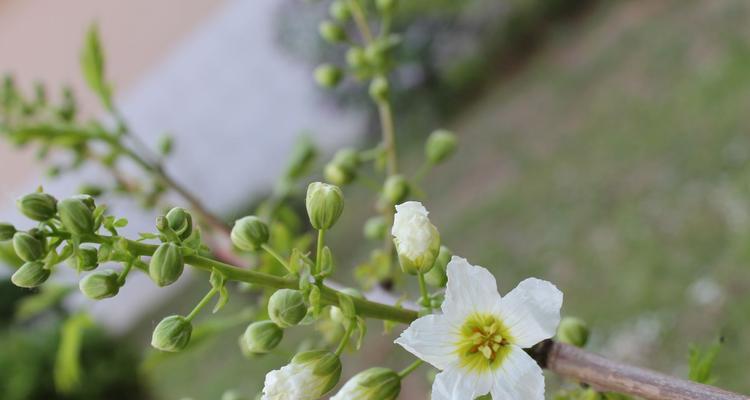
<point>470,289</point>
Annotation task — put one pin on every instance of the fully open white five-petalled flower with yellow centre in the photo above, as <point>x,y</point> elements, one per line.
<point>479,339</point>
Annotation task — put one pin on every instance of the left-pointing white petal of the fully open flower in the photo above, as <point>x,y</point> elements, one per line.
<point>431,338</point>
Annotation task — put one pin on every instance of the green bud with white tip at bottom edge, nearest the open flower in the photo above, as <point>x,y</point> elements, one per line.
<point>371,384</point>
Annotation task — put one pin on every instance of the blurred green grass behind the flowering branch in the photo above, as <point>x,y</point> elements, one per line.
<point>616,164</point>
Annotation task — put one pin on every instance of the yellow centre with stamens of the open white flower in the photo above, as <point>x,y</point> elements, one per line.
<point>484,342</point>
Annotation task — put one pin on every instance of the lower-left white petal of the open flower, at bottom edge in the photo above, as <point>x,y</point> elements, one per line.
<point>456,384</point>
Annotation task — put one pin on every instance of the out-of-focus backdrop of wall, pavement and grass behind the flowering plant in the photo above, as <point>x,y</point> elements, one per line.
<point>604,147</point>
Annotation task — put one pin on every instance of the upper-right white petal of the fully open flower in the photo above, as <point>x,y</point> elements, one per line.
<point>531,311</point>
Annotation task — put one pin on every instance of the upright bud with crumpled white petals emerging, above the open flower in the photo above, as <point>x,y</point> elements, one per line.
<point>417,240</point>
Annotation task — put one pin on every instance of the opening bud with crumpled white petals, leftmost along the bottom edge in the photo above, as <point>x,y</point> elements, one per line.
<point>308,376</point>
